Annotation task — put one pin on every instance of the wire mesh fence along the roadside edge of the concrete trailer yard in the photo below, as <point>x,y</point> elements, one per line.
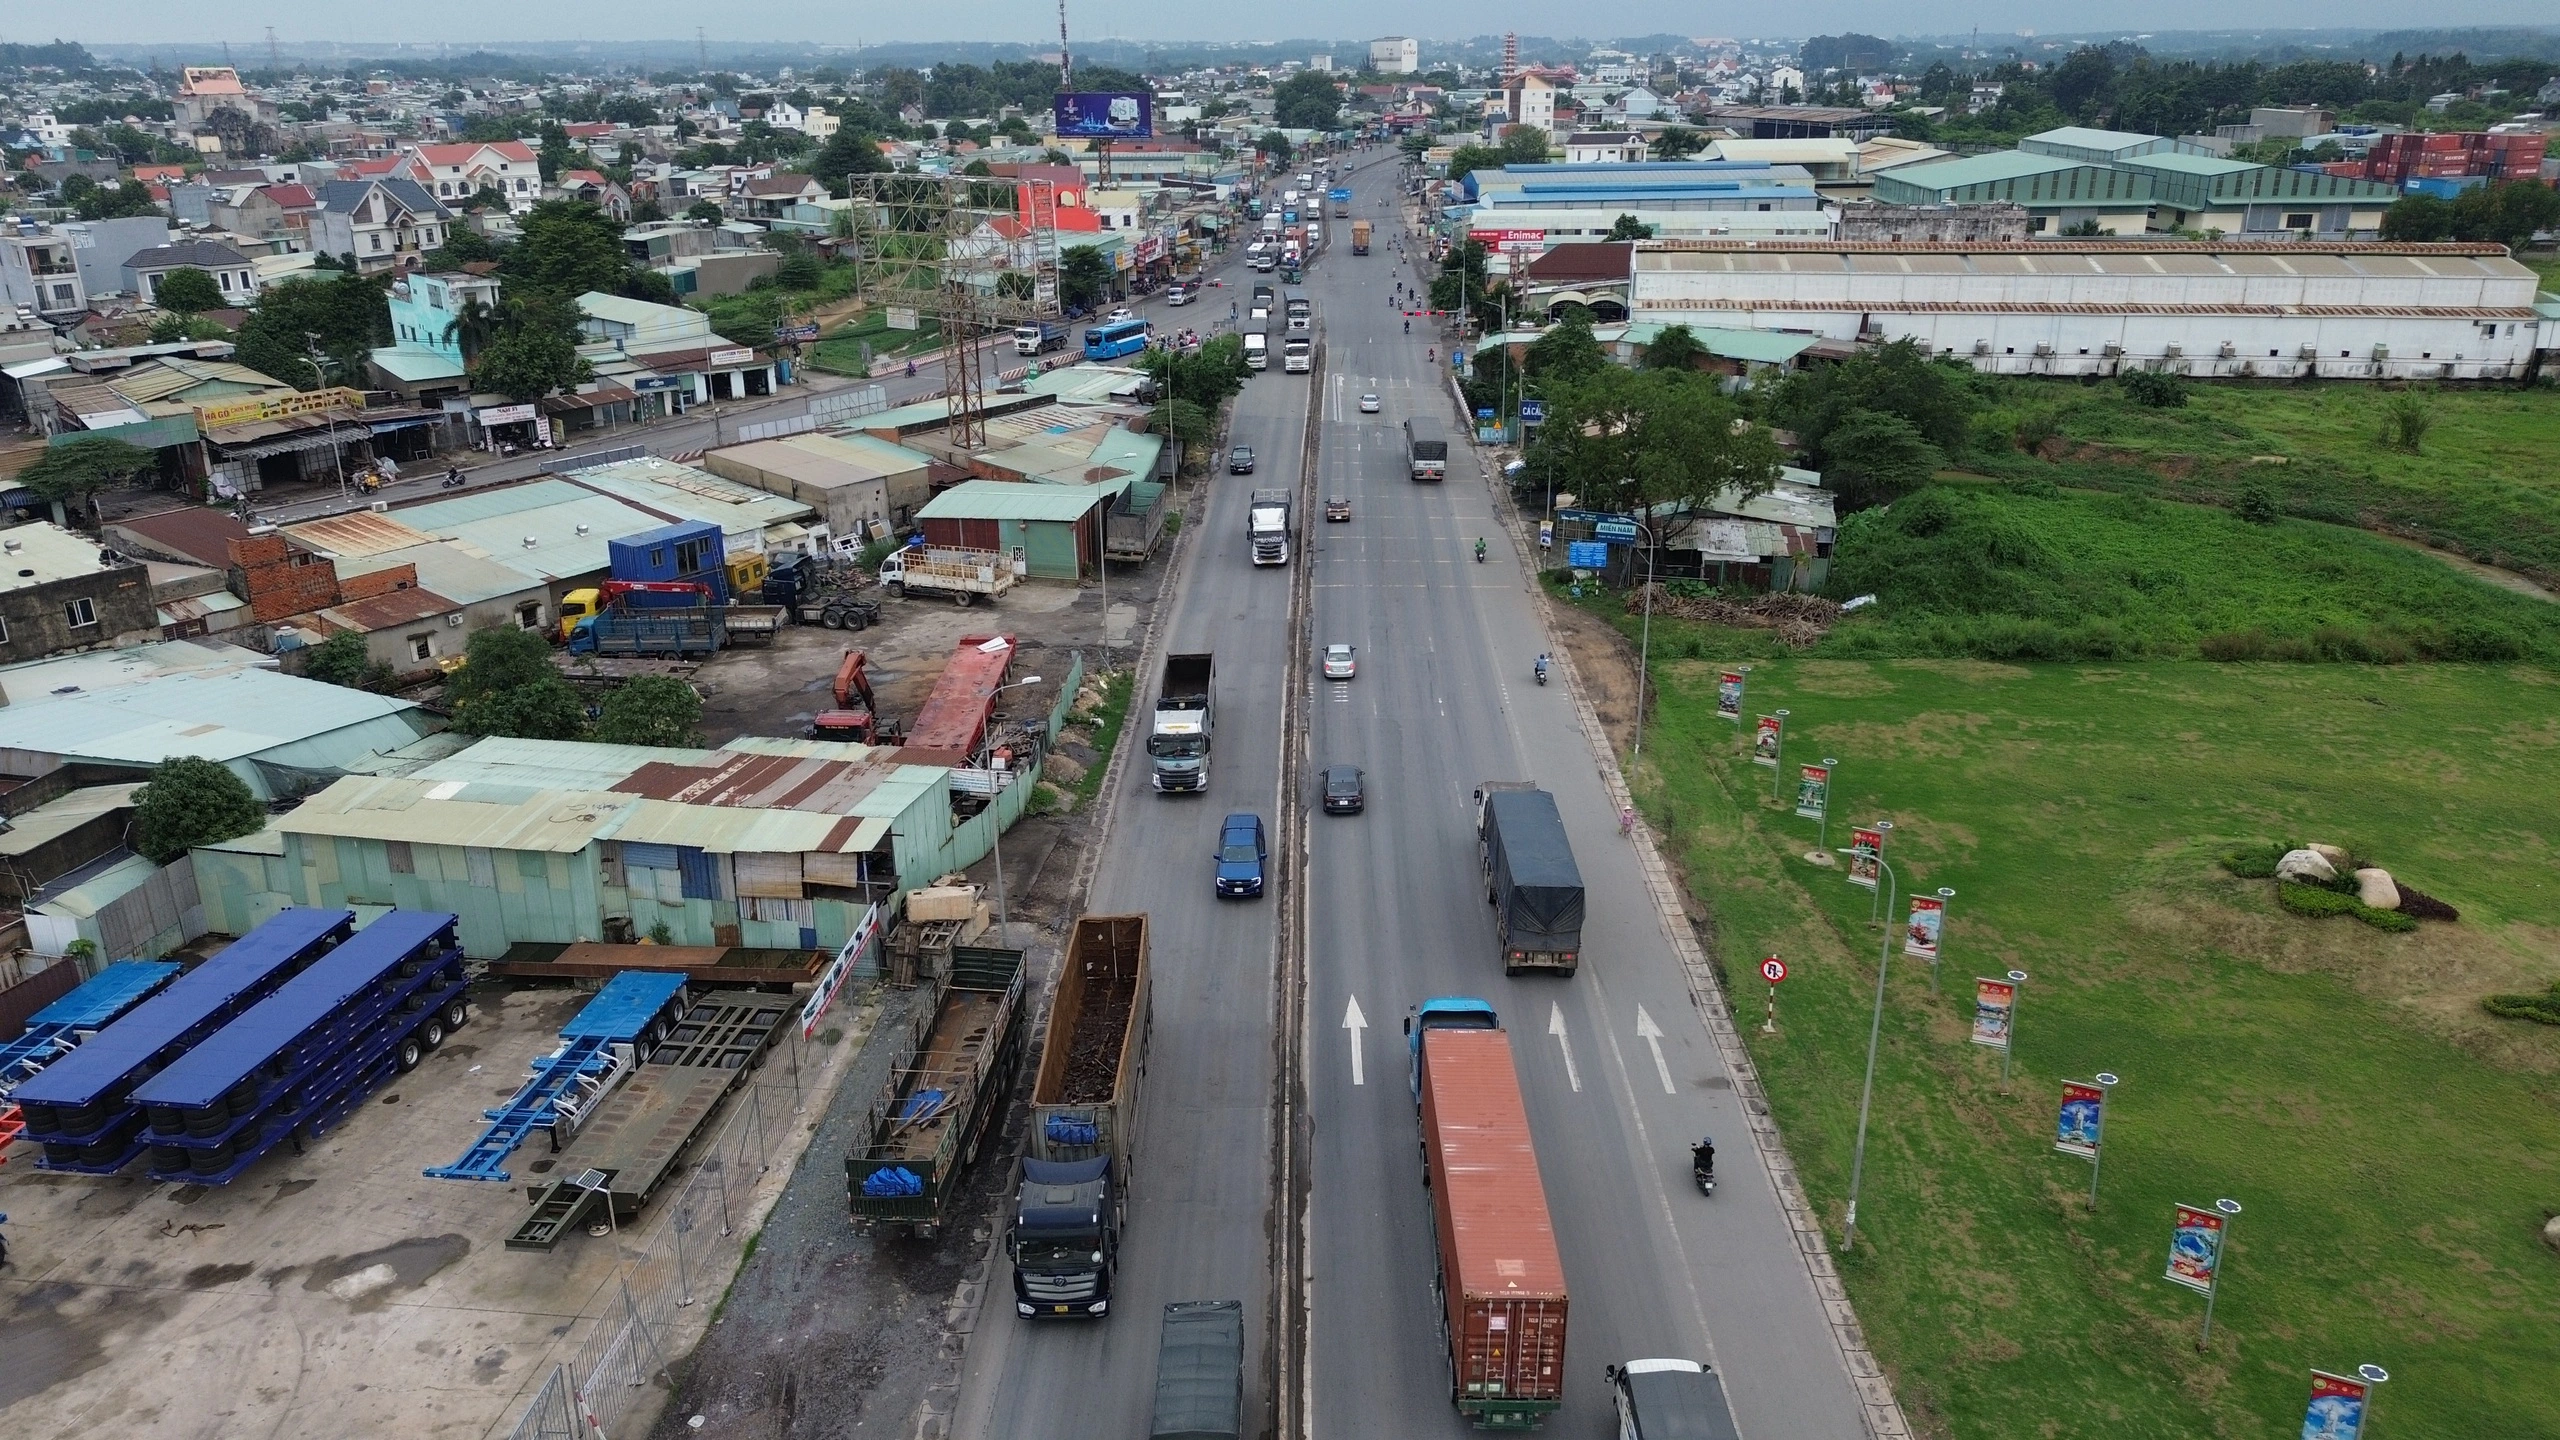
<point>687,1247</point>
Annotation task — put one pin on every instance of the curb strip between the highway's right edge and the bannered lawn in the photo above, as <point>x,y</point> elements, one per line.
<point>1885,1418</point>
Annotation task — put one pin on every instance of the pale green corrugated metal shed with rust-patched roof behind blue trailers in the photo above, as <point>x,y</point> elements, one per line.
<point>767,844</point>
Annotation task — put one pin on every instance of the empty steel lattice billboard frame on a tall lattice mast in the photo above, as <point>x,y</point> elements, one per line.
<point>977,255</point>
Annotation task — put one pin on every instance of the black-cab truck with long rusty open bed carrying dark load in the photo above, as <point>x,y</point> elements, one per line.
<point>1084,1124</point>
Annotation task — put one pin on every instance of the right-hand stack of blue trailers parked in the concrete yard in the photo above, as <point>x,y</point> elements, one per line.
<point>311,1052</point>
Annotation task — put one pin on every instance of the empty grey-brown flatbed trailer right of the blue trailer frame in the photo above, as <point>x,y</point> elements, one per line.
<point>639,1136</point>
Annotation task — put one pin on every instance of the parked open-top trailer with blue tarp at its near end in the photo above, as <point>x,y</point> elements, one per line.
<point>941,1100</point>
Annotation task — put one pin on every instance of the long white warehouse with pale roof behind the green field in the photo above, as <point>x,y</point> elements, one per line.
<point>2231,309</point>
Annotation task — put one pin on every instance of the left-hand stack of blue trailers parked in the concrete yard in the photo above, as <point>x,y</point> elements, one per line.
<point>83,1108</point>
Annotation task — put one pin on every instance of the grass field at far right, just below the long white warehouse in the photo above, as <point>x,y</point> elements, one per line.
<point>2482,480</point>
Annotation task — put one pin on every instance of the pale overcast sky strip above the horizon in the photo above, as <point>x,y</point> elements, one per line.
<point>1033,22</point>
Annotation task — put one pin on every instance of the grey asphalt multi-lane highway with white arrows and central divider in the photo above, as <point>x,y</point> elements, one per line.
<point>1617,1067</point>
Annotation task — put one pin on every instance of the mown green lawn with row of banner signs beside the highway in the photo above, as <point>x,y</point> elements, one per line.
<point>2395,1147</point>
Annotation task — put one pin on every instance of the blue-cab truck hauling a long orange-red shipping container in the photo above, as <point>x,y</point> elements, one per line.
<point>1501,1282</point>
